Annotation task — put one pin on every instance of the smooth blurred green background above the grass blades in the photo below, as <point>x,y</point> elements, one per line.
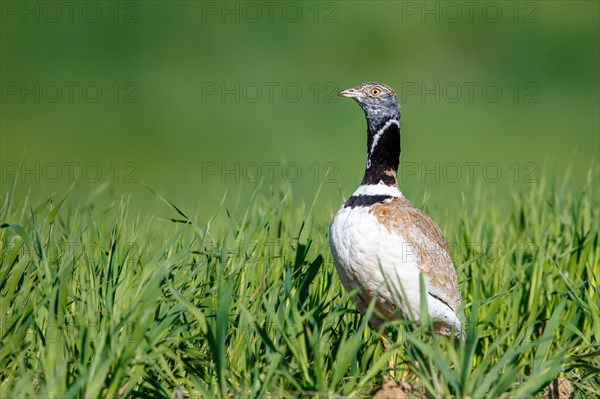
<point>201,98</point>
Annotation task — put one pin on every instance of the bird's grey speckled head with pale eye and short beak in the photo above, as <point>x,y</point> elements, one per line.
<point>379,101</point>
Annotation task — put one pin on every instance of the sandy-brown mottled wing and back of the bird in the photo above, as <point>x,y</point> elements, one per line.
<point>427,243</point>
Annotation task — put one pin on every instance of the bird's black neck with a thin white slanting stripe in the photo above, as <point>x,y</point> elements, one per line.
<point>383,153</point>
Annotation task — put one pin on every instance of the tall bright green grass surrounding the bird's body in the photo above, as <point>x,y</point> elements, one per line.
<point>102,302</point>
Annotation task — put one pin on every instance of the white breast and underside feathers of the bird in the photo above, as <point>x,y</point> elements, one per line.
<point>382,265</point>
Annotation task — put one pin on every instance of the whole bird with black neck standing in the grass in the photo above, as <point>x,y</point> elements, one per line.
<point>381,244</point>
